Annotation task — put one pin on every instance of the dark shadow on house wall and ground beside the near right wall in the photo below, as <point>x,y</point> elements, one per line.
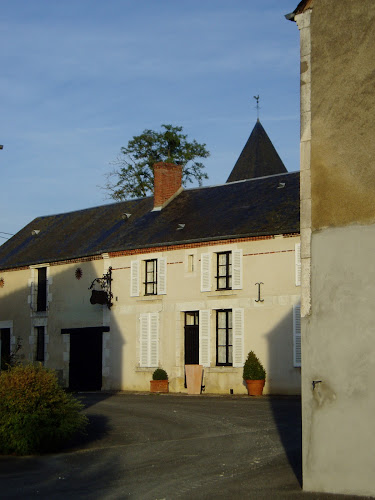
<point>286,409</point>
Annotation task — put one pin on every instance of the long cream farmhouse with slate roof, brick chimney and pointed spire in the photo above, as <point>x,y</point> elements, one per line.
<point>187,276</point>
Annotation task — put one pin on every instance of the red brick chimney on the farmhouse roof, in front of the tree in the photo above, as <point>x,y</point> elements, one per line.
<point>167,183</point>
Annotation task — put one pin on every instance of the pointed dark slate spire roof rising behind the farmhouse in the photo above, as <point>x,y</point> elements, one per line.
<point>258,158</point>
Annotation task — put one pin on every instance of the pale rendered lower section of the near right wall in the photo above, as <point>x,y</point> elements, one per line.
<point>338,349</point>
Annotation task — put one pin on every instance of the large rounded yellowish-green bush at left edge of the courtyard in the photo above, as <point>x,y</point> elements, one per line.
<point>36,414</point>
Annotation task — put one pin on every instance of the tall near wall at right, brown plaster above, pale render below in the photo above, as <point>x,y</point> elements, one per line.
<point>337,239</point>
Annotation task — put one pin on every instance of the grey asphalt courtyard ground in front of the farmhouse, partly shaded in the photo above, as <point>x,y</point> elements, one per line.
<point>154,447</point>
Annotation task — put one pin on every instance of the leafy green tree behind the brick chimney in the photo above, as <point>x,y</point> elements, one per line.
<point>133,176</point>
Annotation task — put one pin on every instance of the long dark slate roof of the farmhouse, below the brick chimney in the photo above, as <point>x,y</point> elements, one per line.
<point>261,206</point>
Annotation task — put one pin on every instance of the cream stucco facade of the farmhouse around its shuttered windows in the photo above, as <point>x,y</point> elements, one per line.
<point>268,325</point>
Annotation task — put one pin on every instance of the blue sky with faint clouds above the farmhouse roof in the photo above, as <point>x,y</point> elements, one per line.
<point>79,78</point>
